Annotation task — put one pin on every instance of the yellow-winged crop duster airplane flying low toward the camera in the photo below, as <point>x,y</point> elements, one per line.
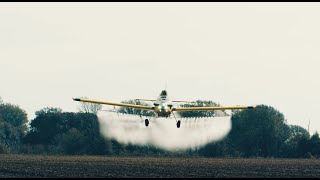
<point>163,106</point>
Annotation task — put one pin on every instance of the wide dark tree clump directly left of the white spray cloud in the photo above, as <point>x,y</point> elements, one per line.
<point>74,133</point>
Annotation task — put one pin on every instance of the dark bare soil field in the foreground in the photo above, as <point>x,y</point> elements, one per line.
<point>102,166</point>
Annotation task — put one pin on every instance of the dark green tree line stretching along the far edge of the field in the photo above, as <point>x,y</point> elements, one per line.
<point>262,132</point>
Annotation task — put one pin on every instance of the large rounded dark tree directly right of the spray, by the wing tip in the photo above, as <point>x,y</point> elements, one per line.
<point>259,132</point>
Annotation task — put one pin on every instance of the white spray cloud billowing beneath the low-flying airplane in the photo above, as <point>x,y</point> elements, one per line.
<point>162,132</point>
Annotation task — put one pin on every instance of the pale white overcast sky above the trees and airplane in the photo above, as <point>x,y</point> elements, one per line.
<point>231,53</point>
